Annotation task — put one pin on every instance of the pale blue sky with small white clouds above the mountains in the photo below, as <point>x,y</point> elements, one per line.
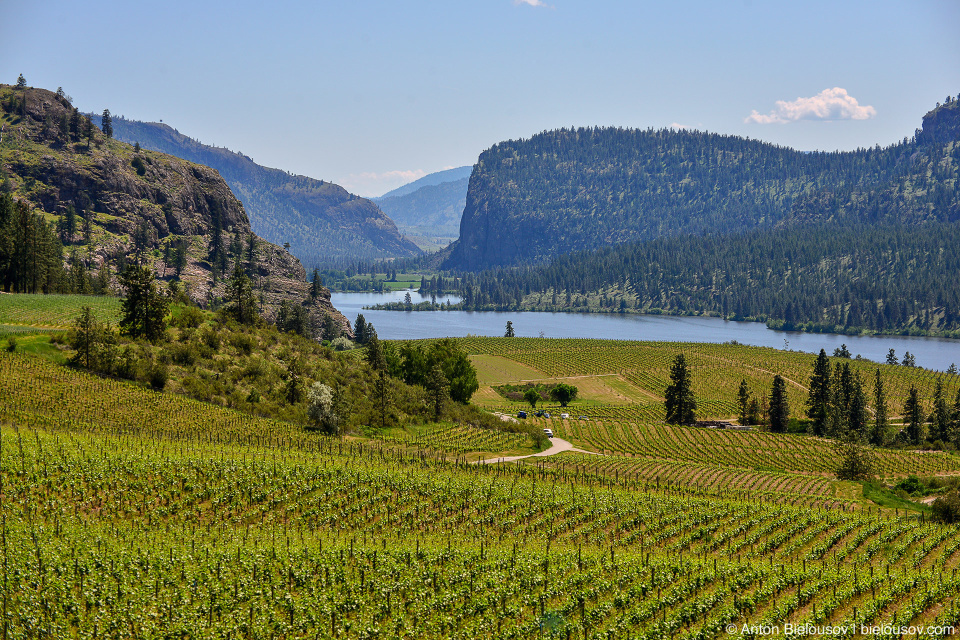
<point>373,94</point>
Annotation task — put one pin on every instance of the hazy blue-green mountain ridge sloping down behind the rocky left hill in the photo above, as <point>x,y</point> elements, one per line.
<point>320,220</point>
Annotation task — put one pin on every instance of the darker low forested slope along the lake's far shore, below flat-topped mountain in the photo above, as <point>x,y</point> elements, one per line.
<point>836,278</point>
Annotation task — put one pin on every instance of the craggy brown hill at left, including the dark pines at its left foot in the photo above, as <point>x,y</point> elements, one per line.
<point>100,203</point>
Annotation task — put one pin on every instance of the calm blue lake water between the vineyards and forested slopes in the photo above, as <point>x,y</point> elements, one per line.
<point>932,353</point>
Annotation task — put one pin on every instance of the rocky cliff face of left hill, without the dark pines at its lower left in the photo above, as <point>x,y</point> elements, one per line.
<point>134,205</point>
